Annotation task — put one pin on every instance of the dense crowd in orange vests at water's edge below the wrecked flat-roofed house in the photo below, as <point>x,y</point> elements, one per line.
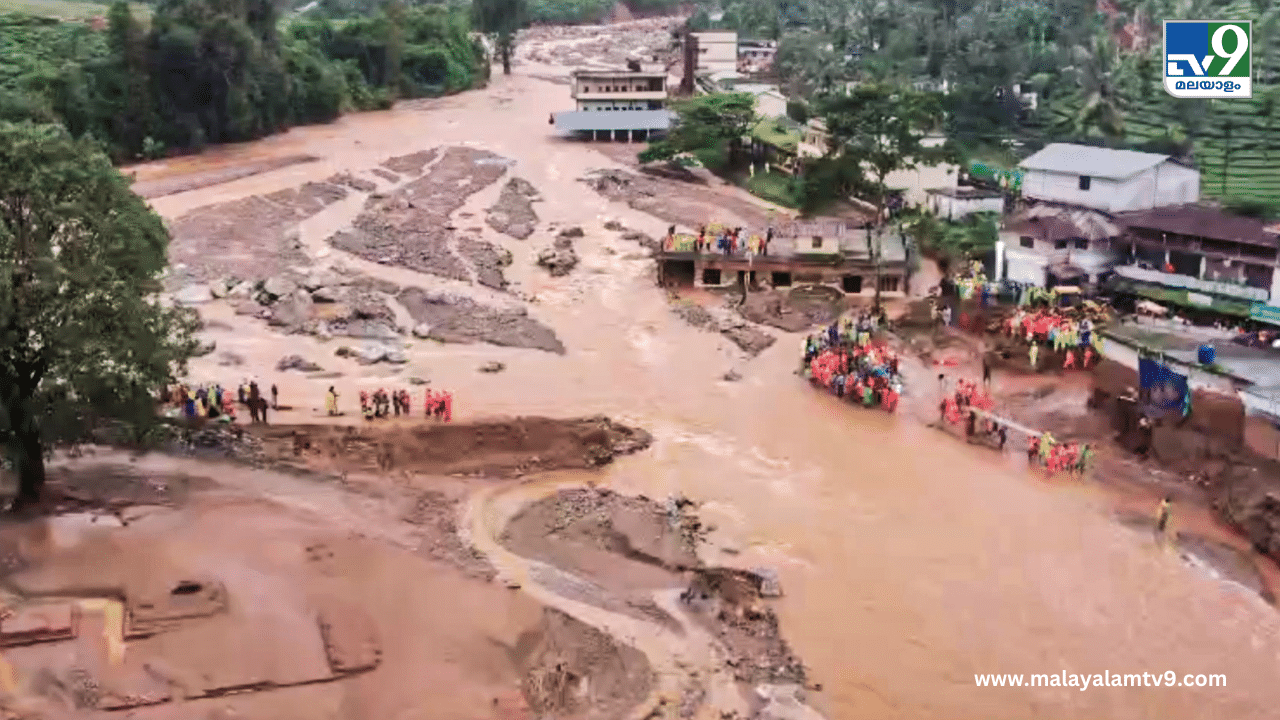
<point>849,362</point>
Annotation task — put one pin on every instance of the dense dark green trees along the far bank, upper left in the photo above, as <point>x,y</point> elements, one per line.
<point>198,72</point>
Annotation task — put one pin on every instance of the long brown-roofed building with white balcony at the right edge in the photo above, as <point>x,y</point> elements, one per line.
<point>1199,257</point>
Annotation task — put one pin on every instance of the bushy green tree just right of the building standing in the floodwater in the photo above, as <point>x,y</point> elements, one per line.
<point>706,122</point>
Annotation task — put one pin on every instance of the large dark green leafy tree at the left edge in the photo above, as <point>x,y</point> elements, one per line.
<point>83,335</point>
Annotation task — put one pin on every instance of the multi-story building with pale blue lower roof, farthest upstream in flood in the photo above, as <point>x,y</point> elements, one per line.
<point>618,106</point>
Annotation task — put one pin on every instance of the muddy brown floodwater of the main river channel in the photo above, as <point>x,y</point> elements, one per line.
<point>911,562</point>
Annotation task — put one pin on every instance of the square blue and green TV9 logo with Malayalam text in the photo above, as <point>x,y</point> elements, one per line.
<point>1209,58</point>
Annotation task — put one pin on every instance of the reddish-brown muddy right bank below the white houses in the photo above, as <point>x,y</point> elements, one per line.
<point>1222,493</point>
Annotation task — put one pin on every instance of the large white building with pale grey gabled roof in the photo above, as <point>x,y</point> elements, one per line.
<point>1112,181</point>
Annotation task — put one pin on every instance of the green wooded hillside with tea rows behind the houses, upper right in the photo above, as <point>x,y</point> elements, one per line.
<point>1020,74</point>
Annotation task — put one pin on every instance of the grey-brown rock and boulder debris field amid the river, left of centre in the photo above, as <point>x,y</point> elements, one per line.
<point>249,253</point>
